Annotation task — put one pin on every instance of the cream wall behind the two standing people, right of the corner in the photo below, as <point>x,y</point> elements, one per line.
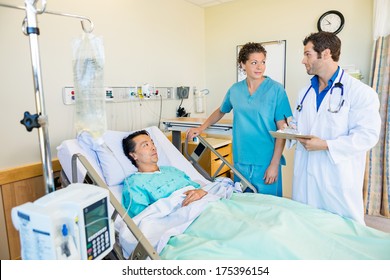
<point>241,21</point>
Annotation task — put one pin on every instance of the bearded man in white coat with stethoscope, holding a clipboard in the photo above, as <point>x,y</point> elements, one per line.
<point>342,114</point>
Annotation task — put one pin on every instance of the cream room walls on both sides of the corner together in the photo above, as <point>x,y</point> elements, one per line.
<point>162,42</point>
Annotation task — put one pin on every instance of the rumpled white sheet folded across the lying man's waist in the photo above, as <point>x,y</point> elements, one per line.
<point>167,217</point>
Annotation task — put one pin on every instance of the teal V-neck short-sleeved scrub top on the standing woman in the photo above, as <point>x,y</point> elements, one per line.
<point>254,116</point>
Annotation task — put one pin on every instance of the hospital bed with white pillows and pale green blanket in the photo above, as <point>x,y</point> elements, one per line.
<point>245,226</point>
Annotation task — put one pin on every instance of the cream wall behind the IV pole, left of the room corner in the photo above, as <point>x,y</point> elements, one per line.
<point>160,42</point>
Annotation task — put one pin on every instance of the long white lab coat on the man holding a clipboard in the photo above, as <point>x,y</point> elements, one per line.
<point>333,179</point>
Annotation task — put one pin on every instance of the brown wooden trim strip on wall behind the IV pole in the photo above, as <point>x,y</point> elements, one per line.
<point>25,172</point>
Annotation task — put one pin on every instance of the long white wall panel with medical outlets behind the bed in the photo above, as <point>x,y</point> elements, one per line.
<point>125,94</point>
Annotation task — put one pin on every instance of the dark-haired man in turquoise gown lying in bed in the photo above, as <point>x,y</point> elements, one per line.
<point>152,182</point>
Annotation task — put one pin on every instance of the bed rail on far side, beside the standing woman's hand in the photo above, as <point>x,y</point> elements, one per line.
<point>197,154</point>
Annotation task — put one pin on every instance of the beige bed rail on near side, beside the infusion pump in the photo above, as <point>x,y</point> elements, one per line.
<point>143,249</point>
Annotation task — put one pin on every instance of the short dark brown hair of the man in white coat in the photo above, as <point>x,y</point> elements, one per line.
<point>325,40</point>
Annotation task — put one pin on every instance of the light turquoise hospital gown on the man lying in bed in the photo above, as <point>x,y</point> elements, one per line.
<point>142,189</point>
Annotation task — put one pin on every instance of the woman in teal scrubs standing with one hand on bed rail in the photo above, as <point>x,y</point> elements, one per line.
<point>260,105</point>
